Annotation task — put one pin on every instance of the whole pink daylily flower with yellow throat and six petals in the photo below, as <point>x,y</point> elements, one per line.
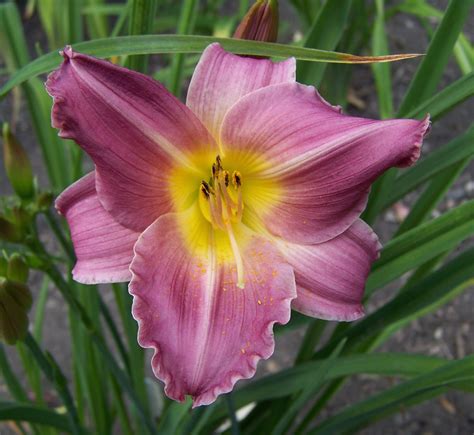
<point>225,212</point>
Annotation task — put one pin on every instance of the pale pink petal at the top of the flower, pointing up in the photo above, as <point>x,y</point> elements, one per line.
<point>221,79</point>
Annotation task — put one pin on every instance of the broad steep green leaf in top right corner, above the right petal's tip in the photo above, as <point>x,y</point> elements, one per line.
<point>431,68</point>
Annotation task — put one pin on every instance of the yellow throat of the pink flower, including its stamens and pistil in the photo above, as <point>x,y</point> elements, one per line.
<point>218,202</point>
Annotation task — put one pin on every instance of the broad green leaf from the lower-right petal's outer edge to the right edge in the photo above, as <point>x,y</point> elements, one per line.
<point>420,244</point>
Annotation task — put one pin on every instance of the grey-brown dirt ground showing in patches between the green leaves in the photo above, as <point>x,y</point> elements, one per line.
<point>446,333</point>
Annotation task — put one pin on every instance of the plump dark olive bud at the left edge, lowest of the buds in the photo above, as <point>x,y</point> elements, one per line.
<point>15,302</point>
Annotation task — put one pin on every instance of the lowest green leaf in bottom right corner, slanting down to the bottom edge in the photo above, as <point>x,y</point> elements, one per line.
<point>394,399</point>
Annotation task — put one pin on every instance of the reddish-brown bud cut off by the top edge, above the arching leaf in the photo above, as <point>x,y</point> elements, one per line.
<point>260,23</point>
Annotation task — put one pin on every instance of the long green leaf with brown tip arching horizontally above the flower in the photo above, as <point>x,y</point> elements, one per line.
<point>149,44</point>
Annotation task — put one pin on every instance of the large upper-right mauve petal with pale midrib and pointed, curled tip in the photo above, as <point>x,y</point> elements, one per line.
<point>322,161</point>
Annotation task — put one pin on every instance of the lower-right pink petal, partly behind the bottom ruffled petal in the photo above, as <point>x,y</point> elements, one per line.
<point>331,276</point>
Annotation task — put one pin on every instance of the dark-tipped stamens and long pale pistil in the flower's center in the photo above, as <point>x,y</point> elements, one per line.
<point>221,203</point>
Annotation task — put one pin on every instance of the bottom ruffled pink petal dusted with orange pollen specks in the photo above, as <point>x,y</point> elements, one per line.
<point>206,332</point>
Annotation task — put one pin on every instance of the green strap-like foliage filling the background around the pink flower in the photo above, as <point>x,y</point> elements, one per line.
<point>427,260</point>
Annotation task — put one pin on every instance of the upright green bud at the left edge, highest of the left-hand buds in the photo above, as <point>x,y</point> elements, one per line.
<point>17,165</point>
